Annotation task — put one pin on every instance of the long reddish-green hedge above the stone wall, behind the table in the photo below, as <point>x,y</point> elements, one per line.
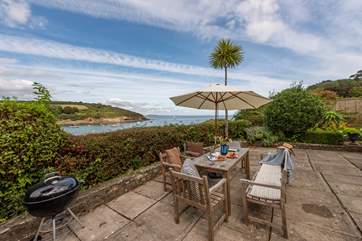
<point>98,157</point>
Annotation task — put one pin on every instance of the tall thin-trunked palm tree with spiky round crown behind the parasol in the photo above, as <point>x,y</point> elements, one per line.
<point>226,55</point>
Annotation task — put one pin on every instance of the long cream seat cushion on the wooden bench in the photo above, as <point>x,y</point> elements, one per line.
<point>268,174</point>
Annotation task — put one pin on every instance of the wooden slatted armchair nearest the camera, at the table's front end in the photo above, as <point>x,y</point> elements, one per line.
<point>195,192</point>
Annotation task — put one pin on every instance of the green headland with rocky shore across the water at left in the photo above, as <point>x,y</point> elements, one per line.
<point>74,113</point>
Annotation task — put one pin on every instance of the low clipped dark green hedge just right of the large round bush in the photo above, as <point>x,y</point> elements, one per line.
<point>319,136</point>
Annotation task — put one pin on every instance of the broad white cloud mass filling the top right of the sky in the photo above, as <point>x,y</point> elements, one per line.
<point>320,29</point>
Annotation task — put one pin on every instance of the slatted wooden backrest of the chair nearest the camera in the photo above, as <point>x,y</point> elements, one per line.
<point>192,190</point>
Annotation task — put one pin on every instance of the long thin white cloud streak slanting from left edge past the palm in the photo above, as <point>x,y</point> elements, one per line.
<point>57,50</point>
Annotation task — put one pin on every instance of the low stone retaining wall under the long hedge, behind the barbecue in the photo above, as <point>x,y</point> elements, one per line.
<point>24,226</point>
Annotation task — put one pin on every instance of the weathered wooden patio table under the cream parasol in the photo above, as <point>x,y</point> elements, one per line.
<point>225,167</point>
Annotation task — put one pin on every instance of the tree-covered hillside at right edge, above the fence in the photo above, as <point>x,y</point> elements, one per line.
<point>340,88</point>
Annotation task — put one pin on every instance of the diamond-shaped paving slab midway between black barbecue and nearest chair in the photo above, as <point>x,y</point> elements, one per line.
<point>131,204</point>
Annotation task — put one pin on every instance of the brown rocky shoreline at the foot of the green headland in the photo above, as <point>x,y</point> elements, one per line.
<point>100,121</point>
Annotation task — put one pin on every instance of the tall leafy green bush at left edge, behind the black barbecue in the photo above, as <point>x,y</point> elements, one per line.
<point>29,142</point>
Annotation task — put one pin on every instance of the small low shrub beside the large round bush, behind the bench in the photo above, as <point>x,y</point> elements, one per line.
<point>261,134</point>
